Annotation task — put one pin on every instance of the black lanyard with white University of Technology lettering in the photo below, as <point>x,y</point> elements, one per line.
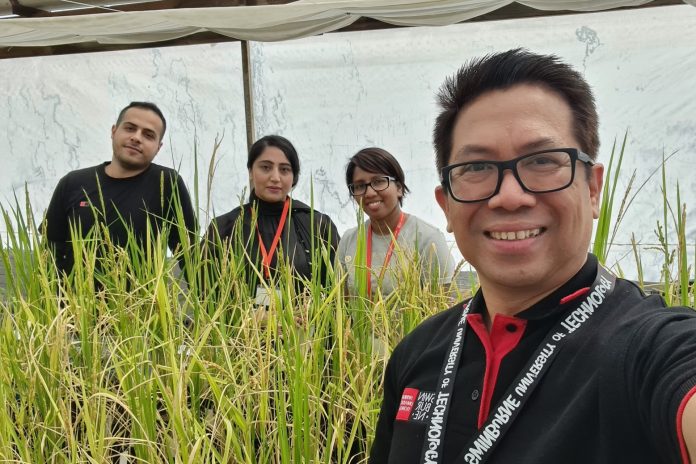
<point>486,438</point>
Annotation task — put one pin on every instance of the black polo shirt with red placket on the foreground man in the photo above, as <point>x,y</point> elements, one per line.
<point>611,395</point>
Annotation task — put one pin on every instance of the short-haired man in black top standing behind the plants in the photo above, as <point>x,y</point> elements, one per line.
<point>124,194</point>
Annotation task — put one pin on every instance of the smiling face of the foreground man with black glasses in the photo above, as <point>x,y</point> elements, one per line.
<point>517,240</point>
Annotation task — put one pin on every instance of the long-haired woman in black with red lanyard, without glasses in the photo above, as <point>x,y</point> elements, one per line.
<point>273,224</point>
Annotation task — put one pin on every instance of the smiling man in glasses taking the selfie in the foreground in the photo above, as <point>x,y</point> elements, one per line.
<point>554,359</point>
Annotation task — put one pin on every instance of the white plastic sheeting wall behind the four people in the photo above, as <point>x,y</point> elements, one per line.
<point>334,94</point>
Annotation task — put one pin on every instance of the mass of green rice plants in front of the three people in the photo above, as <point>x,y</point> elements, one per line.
<point>127,360</point>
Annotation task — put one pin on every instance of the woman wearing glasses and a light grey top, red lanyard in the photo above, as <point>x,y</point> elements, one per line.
<point>376,182</point>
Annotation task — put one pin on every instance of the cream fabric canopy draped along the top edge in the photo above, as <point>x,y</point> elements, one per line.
<point>264,23</point>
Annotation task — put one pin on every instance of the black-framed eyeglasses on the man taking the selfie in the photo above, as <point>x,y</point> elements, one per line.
<point>539,172</point>
